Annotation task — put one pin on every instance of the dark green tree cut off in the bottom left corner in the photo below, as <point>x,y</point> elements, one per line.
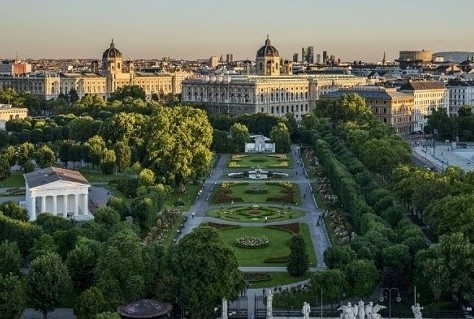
<point>12,296</point>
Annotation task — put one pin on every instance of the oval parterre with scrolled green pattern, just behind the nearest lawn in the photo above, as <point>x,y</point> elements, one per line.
<point>255,214</point>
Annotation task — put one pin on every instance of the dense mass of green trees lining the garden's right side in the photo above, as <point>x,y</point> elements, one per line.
<point>392,242</point>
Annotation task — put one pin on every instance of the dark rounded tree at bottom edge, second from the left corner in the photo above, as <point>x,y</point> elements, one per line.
<point>47,283</point>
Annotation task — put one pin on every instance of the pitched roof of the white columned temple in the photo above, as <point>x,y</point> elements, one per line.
<point>53,174</point>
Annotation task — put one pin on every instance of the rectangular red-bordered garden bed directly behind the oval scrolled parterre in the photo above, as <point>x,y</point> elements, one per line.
<point>273,190</point>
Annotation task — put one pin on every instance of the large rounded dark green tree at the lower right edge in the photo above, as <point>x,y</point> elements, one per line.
<point>451,269</point>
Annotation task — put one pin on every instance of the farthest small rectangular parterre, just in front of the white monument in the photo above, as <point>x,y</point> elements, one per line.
<point>259,160</point>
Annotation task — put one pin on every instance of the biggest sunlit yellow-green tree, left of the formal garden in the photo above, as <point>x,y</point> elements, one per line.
<point>178,144</point>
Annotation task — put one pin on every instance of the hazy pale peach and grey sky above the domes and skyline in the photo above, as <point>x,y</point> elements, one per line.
<point>189,29</point>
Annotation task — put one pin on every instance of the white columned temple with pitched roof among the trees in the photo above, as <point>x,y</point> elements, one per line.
<point>57,191</point>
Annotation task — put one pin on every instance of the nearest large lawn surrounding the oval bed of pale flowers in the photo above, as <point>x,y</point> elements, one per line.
<point>255,257</point>
